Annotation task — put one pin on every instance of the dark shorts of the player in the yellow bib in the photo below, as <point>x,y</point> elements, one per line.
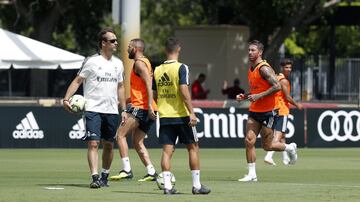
<point>185,133</point>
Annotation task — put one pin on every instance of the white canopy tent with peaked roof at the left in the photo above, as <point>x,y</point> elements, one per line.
<point>22,52</point>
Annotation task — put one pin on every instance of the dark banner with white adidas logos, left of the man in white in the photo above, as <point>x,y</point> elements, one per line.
<point>40,127</point>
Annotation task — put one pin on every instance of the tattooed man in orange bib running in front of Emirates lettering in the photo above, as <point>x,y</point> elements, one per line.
<point>262,112</point>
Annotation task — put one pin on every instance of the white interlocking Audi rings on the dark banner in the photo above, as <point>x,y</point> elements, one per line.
<point>335,126</point>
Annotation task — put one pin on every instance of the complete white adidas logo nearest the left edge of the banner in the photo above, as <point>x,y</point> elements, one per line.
<point>28,128</point>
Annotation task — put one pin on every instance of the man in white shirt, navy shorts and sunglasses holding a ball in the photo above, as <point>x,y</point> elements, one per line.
<point>102,77</point>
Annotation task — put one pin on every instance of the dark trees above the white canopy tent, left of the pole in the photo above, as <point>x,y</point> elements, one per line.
<point>72,25</point>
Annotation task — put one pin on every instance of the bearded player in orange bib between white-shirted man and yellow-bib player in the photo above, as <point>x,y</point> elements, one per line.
<point>140,113</point>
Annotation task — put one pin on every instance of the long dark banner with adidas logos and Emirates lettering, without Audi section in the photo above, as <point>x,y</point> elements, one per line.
<point>53,127</point>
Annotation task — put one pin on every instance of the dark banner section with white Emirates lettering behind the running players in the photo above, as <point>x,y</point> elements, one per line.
<point>227,127</point>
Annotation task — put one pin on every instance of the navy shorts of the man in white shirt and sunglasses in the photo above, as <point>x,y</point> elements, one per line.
<point>100,126</point>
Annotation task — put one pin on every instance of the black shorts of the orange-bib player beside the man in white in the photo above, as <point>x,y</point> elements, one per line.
<point>142,116</point>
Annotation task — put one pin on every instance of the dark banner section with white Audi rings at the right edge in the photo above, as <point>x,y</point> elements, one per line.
<point>333,127</point>
